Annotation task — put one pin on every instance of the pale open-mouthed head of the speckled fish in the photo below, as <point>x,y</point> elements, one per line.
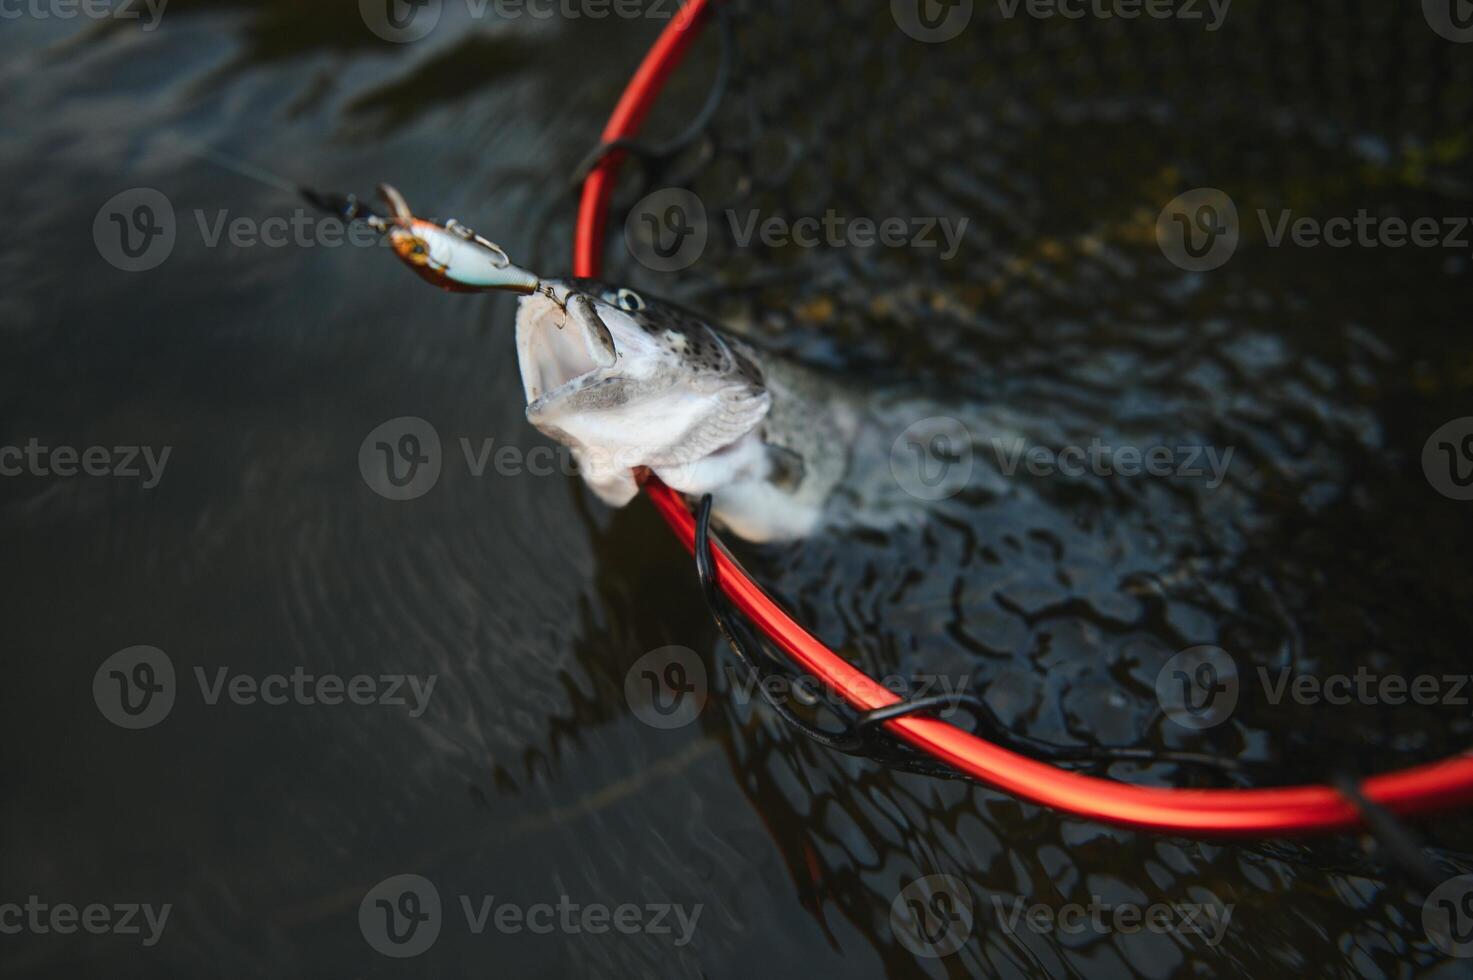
<point>634,382</point>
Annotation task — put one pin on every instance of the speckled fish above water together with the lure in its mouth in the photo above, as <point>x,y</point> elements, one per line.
<point>633,384</point>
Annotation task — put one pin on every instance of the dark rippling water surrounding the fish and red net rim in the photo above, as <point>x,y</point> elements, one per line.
<point>528,777</point>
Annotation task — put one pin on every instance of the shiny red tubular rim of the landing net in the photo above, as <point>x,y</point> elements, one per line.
<point>1270,813</point>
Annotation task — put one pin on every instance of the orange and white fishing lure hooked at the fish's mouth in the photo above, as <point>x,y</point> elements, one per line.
<point>449,256</point>
